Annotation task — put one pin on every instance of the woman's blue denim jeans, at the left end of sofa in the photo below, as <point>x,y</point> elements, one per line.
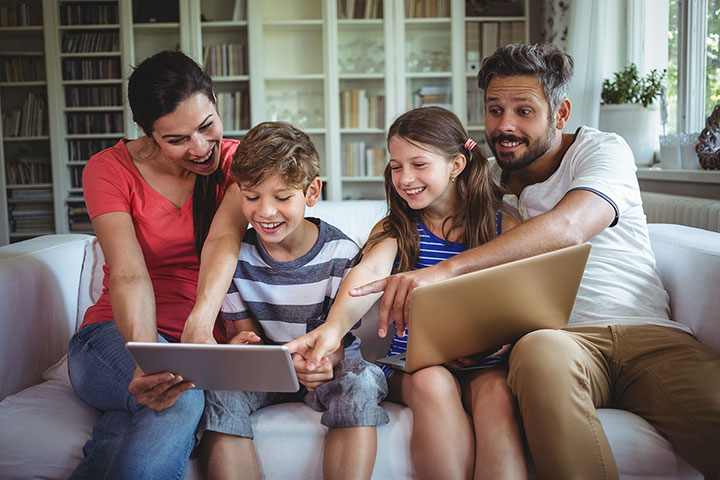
<point>130,441</point>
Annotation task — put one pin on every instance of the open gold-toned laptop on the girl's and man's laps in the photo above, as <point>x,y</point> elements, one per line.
<point>481,311</point>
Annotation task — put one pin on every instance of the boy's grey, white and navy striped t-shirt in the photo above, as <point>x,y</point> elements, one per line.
<point>289,299</point>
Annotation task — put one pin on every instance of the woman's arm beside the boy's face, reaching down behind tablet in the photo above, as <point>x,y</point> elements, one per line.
<point>217,264</point>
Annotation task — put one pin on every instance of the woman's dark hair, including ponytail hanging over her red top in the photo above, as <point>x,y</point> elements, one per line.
<point>156,87</point>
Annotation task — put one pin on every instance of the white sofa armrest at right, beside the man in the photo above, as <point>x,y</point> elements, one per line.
<point>689,262</point>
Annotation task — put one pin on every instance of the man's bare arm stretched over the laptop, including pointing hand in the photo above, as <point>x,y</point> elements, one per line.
<point>578,217</point>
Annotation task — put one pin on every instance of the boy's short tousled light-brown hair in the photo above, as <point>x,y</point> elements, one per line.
<point>271,148</point>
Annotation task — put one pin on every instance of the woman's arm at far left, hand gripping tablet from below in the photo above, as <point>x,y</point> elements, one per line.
<point>133,304</point>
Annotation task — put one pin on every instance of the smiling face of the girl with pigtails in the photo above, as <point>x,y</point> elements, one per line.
<point>422,177</point>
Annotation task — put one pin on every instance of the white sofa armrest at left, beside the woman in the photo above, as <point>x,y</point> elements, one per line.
<point>38,305</point>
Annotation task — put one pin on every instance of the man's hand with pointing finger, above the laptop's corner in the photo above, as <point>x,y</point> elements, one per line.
<point>395,303</point>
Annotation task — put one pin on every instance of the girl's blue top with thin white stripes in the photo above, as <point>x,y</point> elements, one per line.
<point>432,250</point>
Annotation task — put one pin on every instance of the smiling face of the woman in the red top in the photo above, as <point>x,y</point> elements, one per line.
<point>190,136</point>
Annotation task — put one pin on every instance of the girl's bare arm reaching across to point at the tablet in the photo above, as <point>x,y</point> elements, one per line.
<point>377,263</point>
